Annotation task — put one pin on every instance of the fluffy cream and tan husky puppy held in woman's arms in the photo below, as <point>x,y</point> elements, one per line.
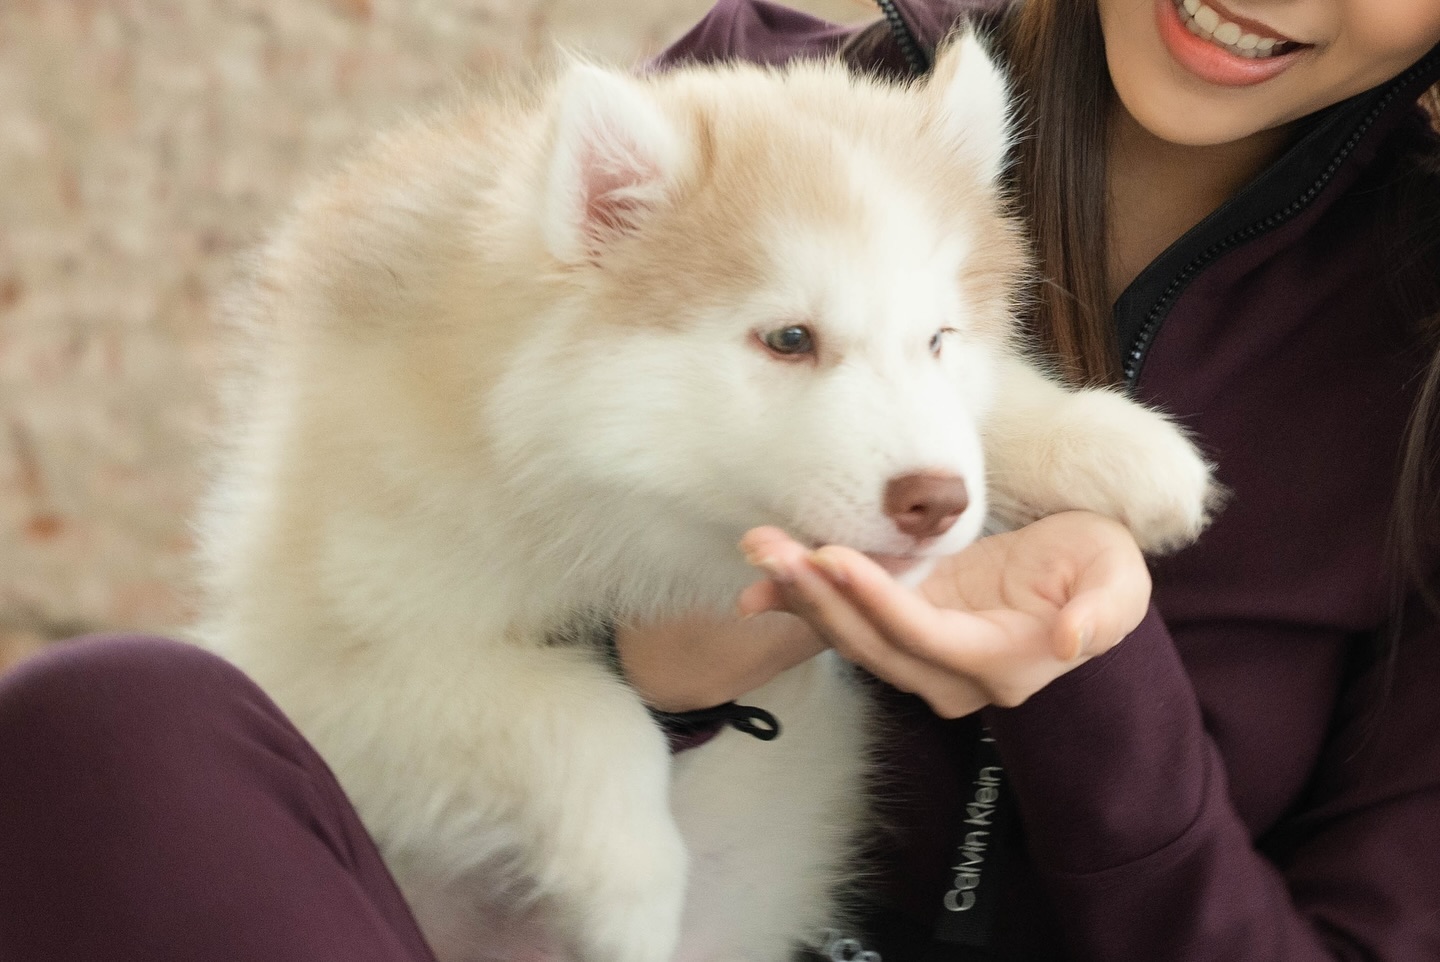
<point>548,358</point>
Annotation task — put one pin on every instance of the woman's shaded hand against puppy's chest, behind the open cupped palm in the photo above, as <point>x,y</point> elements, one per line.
<point>703,662</point>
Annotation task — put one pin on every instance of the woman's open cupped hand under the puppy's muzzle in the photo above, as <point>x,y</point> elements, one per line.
<point>991,626</point>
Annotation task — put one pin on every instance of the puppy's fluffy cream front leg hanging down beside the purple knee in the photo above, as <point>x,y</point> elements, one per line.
<point>544,770</point>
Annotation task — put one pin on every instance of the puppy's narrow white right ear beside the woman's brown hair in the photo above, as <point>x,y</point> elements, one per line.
<point>974,104</point>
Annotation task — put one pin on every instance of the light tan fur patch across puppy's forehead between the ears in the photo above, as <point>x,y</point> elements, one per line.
<point>777,155</point>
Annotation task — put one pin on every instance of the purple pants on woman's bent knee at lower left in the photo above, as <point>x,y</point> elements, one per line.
<point>156,806</point>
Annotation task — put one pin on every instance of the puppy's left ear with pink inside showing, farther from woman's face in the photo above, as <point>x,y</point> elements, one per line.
<point>617,158</point>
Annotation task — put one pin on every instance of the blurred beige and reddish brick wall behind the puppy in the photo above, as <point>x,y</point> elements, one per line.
<point>143,145</point>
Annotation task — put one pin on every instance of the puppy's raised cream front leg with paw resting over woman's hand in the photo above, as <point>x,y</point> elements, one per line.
<point>1050,450</point>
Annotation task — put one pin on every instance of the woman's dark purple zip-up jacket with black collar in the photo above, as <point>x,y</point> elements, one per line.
<point>1243,778</point>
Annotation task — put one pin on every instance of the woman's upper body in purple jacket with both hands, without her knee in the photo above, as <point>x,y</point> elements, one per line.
<point>1255,773</point>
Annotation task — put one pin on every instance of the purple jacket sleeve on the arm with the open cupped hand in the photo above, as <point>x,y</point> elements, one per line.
<point>1130,820</point>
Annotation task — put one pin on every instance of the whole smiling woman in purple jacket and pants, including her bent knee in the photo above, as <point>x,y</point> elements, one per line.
<point>1222,786</point>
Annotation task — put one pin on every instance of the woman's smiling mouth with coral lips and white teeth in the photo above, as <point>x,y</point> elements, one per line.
<point>1223,51</point>
